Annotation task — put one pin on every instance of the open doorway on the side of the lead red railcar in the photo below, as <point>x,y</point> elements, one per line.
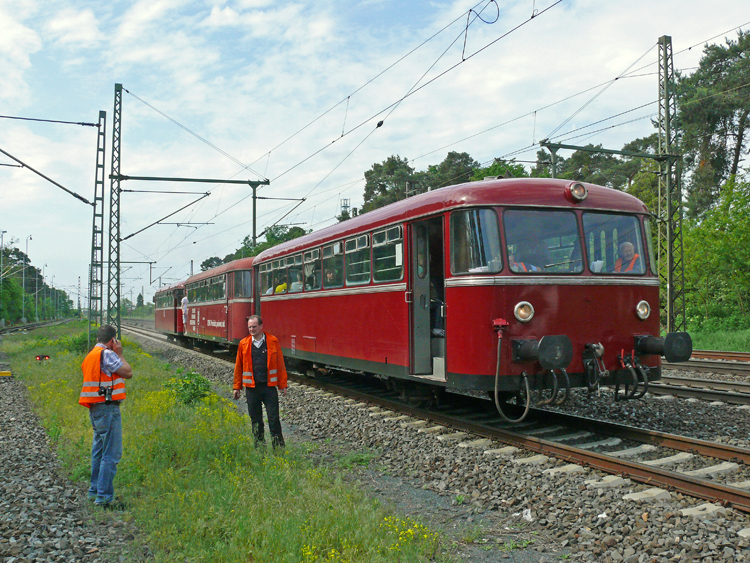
<point>427,277</point>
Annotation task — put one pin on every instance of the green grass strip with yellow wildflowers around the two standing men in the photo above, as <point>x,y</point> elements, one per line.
<point>193,482</point>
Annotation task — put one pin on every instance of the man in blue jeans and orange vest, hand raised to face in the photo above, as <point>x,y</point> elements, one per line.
<point>104,373</point>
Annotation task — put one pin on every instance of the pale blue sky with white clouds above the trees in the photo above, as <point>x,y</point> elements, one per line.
<point>292,91</point>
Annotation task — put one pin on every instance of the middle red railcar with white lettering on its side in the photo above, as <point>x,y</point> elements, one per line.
<point>219,301</point>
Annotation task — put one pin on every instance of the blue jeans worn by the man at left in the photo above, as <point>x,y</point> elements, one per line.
<point>106,450</point>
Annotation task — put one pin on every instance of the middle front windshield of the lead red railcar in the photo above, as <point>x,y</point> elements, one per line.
<point>542,241</point>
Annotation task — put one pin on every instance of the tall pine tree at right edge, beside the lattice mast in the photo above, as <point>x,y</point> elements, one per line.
<point>713,113</point>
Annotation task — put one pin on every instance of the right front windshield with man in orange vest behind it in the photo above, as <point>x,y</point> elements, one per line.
<point>614,244</point>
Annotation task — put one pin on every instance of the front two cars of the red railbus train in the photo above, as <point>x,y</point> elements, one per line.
<point>497,286</point>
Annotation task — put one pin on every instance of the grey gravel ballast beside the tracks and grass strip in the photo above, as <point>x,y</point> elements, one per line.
<point>494,508</point>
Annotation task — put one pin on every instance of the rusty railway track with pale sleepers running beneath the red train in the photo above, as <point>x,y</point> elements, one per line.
<point>640,454</point>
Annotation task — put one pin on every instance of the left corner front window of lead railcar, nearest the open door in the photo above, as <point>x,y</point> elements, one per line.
<point>475,242</point>
